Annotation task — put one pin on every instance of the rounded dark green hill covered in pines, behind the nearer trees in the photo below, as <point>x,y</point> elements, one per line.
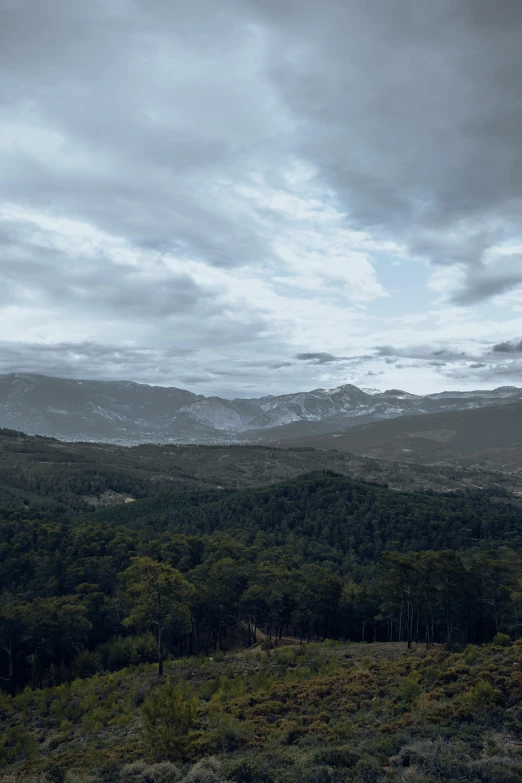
<point>335,511</point>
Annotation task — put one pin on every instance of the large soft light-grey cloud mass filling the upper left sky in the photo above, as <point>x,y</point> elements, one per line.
<point>112,83</point>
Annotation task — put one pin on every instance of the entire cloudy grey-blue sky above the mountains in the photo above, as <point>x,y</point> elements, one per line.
<point>252,197</point>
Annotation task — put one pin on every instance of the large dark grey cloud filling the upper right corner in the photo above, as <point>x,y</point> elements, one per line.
<point>422,141</point>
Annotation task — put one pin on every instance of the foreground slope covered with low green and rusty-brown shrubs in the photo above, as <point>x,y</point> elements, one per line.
<point>350,712</point>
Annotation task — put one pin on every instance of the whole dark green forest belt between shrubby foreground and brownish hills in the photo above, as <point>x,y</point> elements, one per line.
<point>319,557</point>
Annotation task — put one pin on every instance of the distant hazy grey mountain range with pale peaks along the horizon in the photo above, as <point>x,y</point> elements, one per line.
<point>128,412</point>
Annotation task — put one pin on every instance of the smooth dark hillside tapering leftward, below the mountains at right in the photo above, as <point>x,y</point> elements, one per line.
<point>489,439</point>
